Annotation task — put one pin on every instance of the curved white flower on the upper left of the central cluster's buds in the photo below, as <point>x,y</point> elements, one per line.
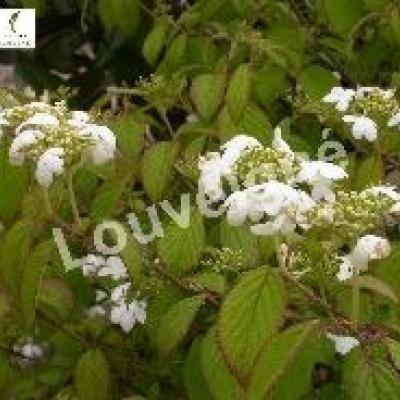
<point>234,149</point>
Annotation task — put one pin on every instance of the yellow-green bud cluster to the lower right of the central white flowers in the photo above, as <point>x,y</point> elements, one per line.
<point>352,213</point>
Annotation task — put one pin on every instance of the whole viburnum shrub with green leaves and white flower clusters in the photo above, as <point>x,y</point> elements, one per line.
<point>254,179</point>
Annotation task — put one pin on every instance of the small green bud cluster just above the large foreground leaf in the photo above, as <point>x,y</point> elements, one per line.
<point>225,260</point>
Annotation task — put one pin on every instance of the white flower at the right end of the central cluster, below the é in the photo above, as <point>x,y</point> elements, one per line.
<point>320,175</point>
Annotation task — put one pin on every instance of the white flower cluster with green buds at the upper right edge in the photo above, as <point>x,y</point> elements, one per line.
<point>364,109</point>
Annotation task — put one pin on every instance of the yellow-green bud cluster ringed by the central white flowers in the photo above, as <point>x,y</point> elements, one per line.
<point>259,165</point>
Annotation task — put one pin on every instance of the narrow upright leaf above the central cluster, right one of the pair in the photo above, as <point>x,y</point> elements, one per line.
<point>238,92</point>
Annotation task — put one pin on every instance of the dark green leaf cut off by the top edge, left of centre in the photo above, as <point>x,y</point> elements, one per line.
<point>121,14</point>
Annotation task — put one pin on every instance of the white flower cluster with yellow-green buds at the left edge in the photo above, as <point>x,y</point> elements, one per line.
<point>55,138</point>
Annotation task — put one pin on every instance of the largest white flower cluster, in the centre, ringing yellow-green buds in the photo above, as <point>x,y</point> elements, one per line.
<point>274,206</point>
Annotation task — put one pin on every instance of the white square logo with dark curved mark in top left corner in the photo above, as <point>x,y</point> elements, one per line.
<point>17,28</point>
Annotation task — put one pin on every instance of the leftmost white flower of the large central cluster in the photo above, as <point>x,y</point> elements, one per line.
<point>210,180</point>
